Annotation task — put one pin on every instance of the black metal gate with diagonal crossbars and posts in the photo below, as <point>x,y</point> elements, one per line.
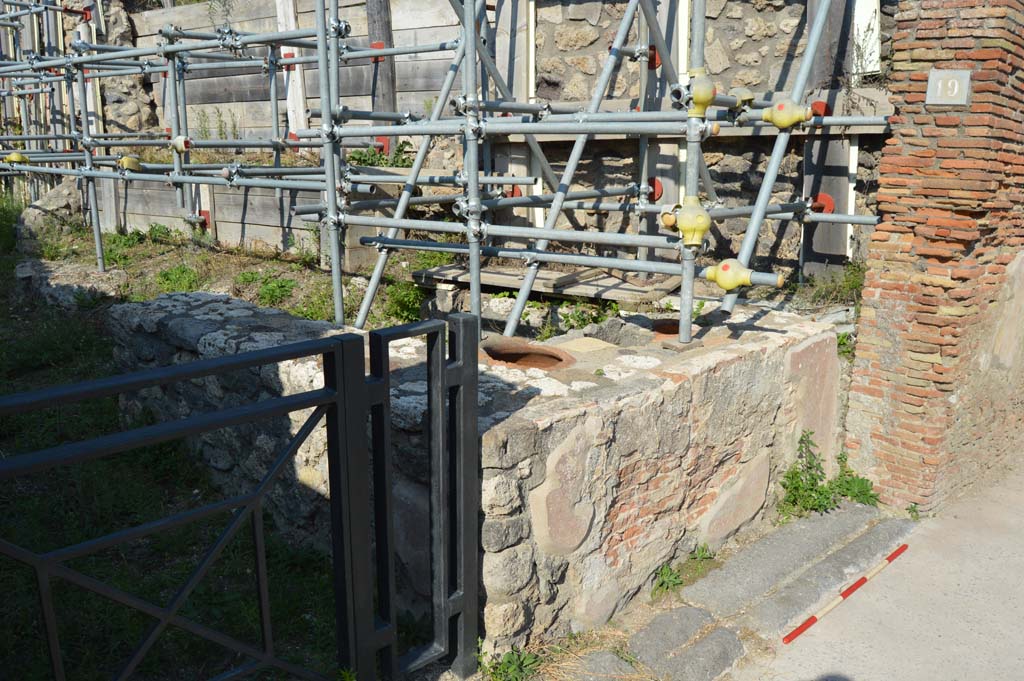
<point>360,476</point>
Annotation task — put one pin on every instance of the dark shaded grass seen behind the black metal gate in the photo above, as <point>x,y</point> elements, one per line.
<point>41,347</point>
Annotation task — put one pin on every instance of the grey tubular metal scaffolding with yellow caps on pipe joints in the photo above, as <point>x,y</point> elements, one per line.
<point>52,144</point>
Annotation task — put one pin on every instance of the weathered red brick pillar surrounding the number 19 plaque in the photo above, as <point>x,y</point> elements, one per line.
<point>937,293</point>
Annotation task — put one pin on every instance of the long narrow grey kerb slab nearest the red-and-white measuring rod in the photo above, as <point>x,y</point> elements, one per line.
<point>798,600</point>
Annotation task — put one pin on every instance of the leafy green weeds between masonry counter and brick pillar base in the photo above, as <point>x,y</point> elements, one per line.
<point>807,490</point>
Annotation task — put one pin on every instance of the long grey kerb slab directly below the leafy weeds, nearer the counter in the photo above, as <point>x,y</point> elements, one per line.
<point>759,568</point>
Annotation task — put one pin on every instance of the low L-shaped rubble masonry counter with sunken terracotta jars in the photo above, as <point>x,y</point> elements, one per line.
<point>594,475</point>
